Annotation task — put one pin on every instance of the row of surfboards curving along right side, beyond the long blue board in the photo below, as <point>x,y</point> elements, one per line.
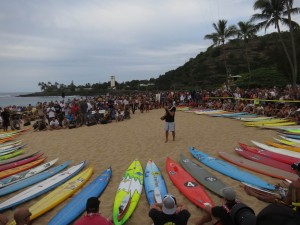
<point>272,159</point>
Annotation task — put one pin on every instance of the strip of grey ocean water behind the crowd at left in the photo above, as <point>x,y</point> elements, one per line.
<point>7,99</point>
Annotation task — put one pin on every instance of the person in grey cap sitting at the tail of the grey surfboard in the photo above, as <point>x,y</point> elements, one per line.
<point>222,213</point>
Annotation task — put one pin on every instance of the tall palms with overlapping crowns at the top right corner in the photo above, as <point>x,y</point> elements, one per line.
<point>273,13</point>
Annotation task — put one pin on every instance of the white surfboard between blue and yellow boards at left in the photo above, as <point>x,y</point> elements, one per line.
<point>41,187</point>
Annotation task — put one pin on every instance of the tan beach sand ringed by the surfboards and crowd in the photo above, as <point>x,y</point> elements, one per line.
<point>142,137</point>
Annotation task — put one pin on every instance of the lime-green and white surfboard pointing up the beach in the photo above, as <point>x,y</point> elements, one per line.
<point>128,193</point>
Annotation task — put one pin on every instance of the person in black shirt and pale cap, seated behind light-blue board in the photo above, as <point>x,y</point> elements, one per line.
<point>169,212</point>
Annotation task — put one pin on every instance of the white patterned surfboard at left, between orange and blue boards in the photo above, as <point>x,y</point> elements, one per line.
<point>26,174</point>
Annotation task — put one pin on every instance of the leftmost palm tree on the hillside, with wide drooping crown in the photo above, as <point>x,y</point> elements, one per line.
<point>222,34</point>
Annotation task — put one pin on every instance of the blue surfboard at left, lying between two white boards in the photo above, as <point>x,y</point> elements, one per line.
<point>34,179</point>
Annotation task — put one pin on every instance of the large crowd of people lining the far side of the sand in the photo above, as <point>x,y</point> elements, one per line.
<point>275,102</point>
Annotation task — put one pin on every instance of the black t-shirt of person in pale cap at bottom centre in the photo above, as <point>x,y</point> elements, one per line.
<point>159,218</point>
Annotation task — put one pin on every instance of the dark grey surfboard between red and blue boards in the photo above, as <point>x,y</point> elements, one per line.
<point>207,179</point>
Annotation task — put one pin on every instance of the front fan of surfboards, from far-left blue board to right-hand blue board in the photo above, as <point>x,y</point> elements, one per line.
<point>189,181</point>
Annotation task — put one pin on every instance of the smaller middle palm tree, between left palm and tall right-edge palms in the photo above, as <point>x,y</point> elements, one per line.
<point>246,32</point>
